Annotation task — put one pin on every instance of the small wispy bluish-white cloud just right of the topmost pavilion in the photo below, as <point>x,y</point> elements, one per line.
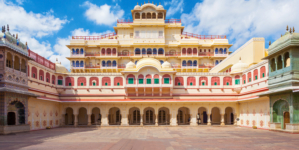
<point>175,6</point>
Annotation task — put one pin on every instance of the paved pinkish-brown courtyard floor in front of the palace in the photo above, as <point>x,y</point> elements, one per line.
<point>150,138</point>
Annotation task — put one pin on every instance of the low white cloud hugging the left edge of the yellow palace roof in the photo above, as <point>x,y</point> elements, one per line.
<point>62,51</point>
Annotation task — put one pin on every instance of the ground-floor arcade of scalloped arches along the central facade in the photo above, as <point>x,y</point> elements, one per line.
<point>149,115</point>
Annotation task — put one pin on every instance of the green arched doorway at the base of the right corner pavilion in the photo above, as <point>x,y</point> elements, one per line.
<point>280,113</point>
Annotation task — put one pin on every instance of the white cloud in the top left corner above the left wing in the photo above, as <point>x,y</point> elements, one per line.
<point>30,26</point>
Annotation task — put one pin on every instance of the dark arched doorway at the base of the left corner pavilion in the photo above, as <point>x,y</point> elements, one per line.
<point>16,113</point>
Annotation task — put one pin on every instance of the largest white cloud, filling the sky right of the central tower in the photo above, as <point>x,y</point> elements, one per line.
<point>242,20</point>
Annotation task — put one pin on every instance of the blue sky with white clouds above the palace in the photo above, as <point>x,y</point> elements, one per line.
<point>47,25</point>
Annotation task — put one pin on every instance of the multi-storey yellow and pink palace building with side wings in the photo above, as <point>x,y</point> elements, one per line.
<point>149,72</point>
